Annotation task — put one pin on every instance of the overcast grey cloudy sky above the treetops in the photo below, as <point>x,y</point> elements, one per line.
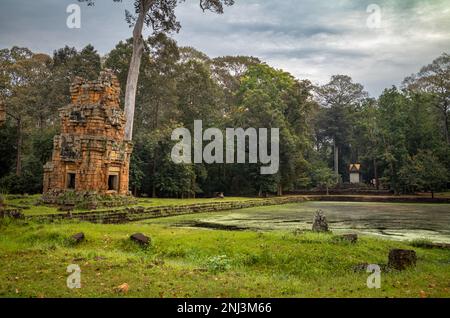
<point>312,39</point>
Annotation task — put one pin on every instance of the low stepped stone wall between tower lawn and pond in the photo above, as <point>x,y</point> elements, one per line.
<point>131,214</point>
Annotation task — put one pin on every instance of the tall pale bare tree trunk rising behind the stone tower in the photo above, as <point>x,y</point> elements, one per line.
<point>133,72</point>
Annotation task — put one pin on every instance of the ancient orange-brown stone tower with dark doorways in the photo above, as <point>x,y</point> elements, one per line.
<point>90,154</point>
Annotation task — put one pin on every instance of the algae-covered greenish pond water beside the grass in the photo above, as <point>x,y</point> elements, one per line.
<point>390,220</point>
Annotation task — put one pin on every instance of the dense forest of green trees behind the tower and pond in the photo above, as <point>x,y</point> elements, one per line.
<point>401,139</point>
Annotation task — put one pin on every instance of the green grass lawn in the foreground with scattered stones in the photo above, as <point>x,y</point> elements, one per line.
<point>182,262</point>
